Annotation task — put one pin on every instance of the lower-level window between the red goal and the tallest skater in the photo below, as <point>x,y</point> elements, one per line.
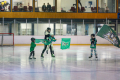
<point>22,27</point>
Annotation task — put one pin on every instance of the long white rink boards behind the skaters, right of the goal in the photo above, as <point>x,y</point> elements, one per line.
<point>74,39</point>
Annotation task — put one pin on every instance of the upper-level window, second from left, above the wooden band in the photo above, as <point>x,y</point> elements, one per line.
<point>22,5</point>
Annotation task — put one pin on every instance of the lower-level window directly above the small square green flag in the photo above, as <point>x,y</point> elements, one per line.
<point>65,27</point>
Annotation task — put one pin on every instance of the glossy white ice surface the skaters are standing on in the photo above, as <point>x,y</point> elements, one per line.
<point>70,64</point>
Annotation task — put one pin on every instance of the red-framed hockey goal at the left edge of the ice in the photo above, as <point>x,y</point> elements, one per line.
<point>6,39</point>
